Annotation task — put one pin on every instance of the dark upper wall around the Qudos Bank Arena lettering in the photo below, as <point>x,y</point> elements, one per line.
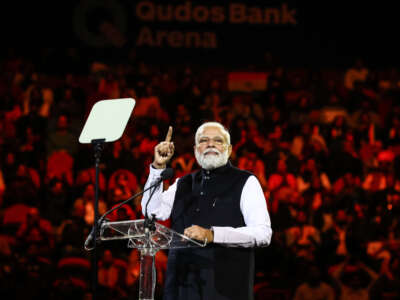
<point>327,33</point>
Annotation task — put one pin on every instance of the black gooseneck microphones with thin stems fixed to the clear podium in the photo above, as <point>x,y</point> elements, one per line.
<point>166,174</point>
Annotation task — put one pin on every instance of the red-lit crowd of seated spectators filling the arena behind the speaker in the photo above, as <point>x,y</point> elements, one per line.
<point>324,144</point>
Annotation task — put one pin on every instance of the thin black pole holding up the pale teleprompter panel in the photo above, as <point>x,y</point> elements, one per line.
<point>98,147</point>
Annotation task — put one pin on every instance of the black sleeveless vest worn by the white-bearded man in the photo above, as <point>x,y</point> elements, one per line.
<point>209,198</point>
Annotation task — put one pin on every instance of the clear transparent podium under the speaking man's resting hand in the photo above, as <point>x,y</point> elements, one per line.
<point>148,242</point>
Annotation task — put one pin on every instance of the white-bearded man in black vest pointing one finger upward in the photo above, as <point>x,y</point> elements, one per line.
<point>220,205</point>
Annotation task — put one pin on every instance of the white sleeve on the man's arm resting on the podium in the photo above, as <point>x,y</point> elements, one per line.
<point>257,231</point>
